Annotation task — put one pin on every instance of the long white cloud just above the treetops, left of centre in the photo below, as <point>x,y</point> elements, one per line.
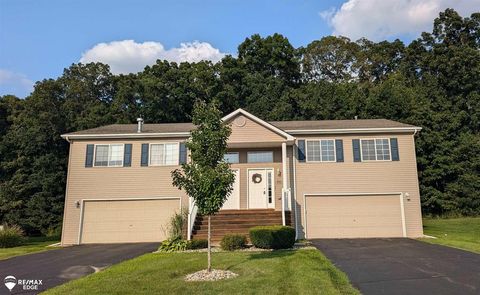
<point>128,56</point>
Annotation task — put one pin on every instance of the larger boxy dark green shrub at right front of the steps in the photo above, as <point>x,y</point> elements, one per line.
<point>272,237</point>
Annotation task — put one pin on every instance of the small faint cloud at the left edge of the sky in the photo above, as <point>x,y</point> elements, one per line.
<point>15,83</point>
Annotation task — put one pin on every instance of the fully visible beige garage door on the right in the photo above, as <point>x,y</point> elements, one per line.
<point>354,216</point>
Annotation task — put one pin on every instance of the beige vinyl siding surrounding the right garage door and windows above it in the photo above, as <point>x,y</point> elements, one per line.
<point>364,177</point>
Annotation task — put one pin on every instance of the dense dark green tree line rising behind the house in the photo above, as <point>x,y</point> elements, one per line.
<point>433,82</point>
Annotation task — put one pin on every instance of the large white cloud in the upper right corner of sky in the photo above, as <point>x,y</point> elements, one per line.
<point>382,19</point>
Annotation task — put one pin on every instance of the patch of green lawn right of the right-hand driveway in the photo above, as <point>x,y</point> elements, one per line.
<point>462,233</point>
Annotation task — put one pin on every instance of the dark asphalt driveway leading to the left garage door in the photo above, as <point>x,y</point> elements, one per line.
<point>56,267</point>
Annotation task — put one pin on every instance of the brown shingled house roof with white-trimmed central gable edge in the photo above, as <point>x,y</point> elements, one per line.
<point>284,128</point>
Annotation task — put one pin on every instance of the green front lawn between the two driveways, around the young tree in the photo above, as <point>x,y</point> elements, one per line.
<point>304,271</point>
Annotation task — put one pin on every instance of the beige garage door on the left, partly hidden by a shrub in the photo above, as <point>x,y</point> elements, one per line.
<point>127,221</point>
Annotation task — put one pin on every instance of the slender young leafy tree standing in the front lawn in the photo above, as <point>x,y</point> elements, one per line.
<point>206,178</point>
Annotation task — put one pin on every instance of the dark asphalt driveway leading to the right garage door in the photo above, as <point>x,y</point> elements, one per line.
<point>404,266</point>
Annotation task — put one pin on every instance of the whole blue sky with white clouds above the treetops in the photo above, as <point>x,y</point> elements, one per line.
<point>38,39</point>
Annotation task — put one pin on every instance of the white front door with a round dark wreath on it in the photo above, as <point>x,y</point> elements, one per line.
<point>260,189</point>
